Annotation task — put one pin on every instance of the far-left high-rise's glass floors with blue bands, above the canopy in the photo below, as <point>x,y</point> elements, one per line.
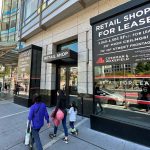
<point>8,20</point>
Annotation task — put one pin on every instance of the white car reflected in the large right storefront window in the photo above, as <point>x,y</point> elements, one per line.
<point>109,97</point>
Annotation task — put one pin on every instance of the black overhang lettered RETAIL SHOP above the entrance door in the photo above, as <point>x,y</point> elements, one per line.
<point>65,56</point>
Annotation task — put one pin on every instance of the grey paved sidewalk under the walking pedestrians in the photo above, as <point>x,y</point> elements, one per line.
<point>12,130</point>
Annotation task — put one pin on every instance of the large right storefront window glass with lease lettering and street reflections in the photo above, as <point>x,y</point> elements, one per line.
<point>121,62</point>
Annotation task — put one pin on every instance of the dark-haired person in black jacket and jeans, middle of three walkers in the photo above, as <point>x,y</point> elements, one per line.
<point>61,104</point>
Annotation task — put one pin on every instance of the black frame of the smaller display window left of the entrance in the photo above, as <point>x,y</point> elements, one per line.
<point>35,75</point>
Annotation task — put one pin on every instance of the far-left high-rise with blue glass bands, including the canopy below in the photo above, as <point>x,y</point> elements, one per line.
<point>8,32</point>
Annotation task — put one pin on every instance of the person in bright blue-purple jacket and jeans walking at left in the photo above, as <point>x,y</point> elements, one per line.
<point>36,117</point>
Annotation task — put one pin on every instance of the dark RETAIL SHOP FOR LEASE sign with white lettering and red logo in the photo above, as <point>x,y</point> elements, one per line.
<point>124,38</point>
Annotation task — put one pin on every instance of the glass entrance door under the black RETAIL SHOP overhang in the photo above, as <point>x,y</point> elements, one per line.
<point>67,81</point>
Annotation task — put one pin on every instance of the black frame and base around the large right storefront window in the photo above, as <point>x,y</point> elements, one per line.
<point>124,130</point>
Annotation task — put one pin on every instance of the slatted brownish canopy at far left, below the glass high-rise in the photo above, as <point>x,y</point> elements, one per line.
<point>8,54</point>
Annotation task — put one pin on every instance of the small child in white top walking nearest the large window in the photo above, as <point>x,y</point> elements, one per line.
<point>72,117</point>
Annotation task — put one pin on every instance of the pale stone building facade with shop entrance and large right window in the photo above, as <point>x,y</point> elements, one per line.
<point>63,30</point>
